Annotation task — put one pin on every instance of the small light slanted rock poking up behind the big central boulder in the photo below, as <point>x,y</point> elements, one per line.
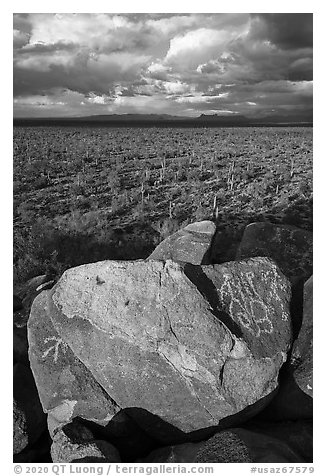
<point>191,244</point>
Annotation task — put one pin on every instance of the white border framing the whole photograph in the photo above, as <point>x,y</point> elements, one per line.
<point>277,6</point>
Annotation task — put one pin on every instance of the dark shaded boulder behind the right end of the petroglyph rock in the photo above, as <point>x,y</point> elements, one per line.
<point>288,246</point>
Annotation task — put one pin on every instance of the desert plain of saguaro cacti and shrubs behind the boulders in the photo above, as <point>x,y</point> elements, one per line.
<point>85,194</point>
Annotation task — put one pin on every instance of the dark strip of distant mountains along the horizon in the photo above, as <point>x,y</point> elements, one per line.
<point>165,120</point>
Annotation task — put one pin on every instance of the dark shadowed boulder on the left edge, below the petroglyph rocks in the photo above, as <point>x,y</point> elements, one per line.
<point>29,421</point>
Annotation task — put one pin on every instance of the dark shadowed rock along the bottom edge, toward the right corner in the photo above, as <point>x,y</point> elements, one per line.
<point>288,443</point>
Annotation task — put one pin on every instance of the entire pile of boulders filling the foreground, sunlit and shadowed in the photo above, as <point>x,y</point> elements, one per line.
<point>131,357</point>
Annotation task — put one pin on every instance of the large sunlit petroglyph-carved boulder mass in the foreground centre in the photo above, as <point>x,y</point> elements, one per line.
<point>187,345</point>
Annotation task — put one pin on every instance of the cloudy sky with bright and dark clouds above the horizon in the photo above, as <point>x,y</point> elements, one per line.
<point>181,64</point>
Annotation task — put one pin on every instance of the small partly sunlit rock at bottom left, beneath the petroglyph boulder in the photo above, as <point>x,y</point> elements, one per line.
<point>75,443</point>
